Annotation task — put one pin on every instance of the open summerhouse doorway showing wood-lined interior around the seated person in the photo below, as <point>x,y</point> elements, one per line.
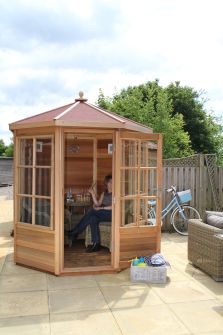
<point>87,160</point>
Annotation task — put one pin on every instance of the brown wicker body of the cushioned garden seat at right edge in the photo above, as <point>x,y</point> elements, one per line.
<point>205,248</point>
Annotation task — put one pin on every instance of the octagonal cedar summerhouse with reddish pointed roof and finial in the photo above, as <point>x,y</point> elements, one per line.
<point>58,155</point>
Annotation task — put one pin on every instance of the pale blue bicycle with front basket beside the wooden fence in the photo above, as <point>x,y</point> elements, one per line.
<point>181,212</point>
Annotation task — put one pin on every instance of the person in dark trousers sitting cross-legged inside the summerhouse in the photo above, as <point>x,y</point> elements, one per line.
<point>101,212</point>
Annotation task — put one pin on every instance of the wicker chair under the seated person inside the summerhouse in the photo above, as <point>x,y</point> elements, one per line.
<point>105,235</point>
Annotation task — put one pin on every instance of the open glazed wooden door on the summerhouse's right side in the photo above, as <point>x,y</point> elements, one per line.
<point>140,181</point>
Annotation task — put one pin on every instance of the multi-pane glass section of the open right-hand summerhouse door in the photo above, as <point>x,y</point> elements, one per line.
<point>138,180</point>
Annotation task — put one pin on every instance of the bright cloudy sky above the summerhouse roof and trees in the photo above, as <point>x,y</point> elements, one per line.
<point>52,49</point>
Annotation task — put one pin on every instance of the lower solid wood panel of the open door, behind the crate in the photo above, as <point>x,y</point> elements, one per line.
<point>136,242</point>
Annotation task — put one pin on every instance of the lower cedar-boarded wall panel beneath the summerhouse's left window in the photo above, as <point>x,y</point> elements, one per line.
<point>35,248</point>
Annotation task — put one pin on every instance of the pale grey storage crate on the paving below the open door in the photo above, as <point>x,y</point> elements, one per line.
<point>148,274</point>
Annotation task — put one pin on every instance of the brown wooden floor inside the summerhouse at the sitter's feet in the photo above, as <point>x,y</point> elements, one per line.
<point>76,256</point>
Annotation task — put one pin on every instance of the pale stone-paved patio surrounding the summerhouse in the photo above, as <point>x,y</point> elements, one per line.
<point>32,302</point>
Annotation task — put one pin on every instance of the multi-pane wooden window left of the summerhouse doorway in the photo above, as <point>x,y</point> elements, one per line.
<point>35,180</point>
